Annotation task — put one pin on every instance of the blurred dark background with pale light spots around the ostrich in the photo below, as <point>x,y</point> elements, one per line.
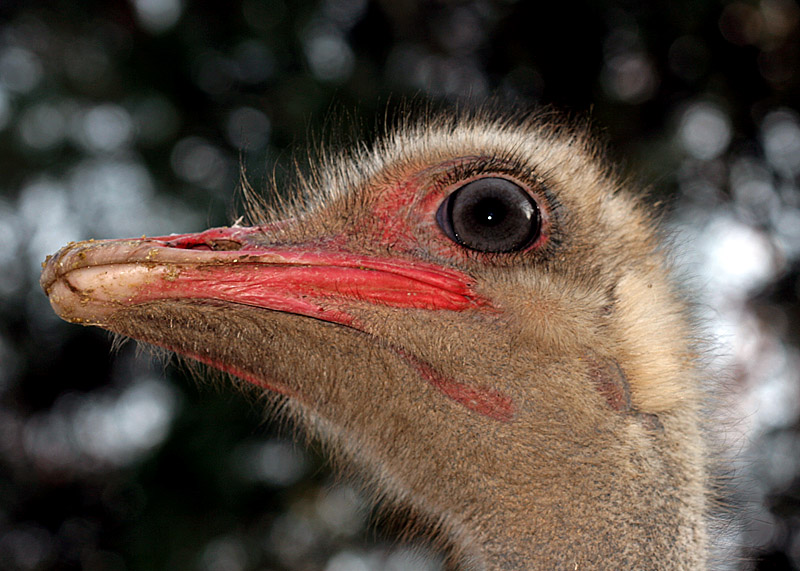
<point>123,118</point>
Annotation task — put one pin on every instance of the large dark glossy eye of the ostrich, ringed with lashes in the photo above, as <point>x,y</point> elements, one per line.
<point>490,215</point>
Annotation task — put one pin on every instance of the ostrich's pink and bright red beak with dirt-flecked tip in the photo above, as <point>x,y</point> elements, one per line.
<point>88,281</point>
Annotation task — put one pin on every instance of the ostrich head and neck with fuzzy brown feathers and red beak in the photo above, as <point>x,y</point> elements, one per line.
<point>476,313</point>
